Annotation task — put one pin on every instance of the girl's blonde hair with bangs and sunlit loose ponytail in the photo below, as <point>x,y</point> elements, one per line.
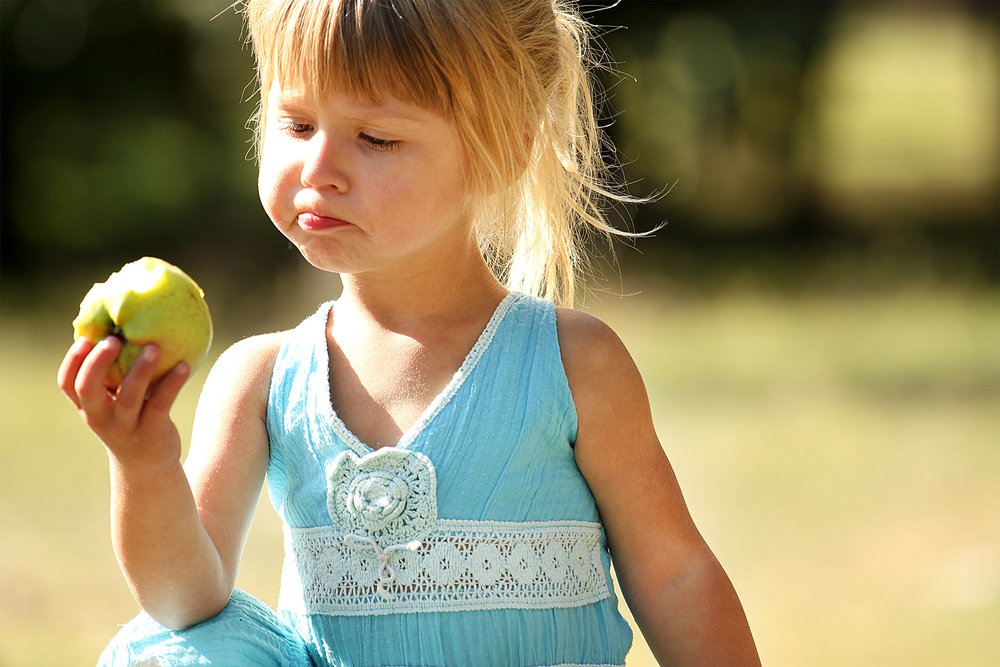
<point>515,76</point>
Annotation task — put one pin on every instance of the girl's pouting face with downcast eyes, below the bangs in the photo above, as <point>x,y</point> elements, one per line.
<point>359,187</point>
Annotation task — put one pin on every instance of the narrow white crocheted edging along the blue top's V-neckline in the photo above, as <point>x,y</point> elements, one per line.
<point>347,436</point>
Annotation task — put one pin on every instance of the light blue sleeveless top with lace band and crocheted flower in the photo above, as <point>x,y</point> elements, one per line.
<point>474,541</point>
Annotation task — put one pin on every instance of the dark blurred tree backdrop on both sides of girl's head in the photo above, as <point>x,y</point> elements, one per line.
<point>123,127</point>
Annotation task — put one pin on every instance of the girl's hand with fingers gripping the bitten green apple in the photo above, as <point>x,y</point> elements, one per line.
<point>132,421</point>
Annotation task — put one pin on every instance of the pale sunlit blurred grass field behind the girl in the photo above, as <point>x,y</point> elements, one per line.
<point>840,453</point>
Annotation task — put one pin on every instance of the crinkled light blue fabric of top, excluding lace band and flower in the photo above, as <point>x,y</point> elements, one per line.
<point>500,440</point>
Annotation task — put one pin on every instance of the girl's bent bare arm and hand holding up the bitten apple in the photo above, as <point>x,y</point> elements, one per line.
<point>177,541</point>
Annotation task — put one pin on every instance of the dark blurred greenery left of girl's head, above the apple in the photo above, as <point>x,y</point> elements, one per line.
<point>123,130</point>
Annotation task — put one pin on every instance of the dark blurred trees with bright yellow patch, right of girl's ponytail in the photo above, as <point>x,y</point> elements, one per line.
<point>779,122</point>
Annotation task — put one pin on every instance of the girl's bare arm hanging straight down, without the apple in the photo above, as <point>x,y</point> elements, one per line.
<point>680,596</point>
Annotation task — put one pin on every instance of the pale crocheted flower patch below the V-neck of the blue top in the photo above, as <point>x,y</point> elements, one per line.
<point>388,496</point>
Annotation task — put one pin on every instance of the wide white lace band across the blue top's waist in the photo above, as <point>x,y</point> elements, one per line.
<point>461,566</point>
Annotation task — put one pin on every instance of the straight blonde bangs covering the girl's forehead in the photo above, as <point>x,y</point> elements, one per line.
<point>362,49</point>
